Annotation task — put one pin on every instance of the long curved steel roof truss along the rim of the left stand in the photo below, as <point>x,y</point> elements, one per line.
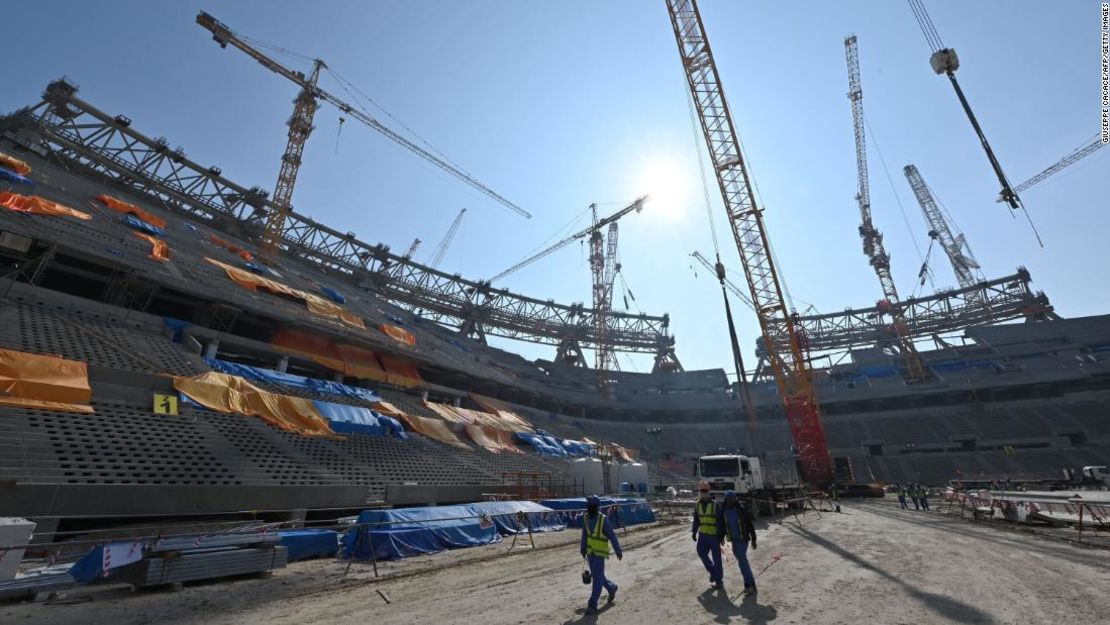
<point>86,139</point>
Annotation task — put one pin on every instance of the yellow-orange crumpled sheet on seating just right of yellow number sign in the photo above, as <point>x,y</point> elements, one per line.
<point>235,396</point>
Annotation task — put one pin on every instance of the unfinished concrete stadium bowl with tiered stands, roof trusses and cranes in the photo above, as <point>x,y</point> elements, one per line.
<point>177,346</point>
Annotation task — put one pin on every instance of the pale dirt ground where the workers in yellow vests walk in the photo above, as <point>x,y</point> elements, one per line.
<point>874,563</point>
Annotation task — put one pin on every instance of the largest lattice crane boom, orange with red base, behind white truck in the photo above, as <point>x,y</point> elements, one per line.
<point>785,355</point>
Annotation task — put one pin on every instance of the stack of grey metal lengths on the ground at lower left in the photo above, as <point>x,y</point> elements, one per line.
<point>203,564</point>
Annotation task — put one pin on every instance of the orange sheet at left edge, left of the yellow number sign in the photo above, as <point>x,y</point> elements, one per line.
<point>37,381</point>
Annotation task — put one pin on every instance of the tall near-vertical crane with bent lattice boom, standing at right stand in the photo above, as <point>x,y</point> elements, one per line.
<point>872,238</point>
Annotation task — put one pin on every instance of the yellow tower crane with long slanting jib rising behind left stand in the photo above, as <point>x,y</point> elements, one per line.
<point>300,128</point>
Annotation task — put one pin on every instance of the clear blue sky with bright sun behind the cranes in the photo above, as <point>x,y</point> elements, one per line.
<point>559,105</point>
